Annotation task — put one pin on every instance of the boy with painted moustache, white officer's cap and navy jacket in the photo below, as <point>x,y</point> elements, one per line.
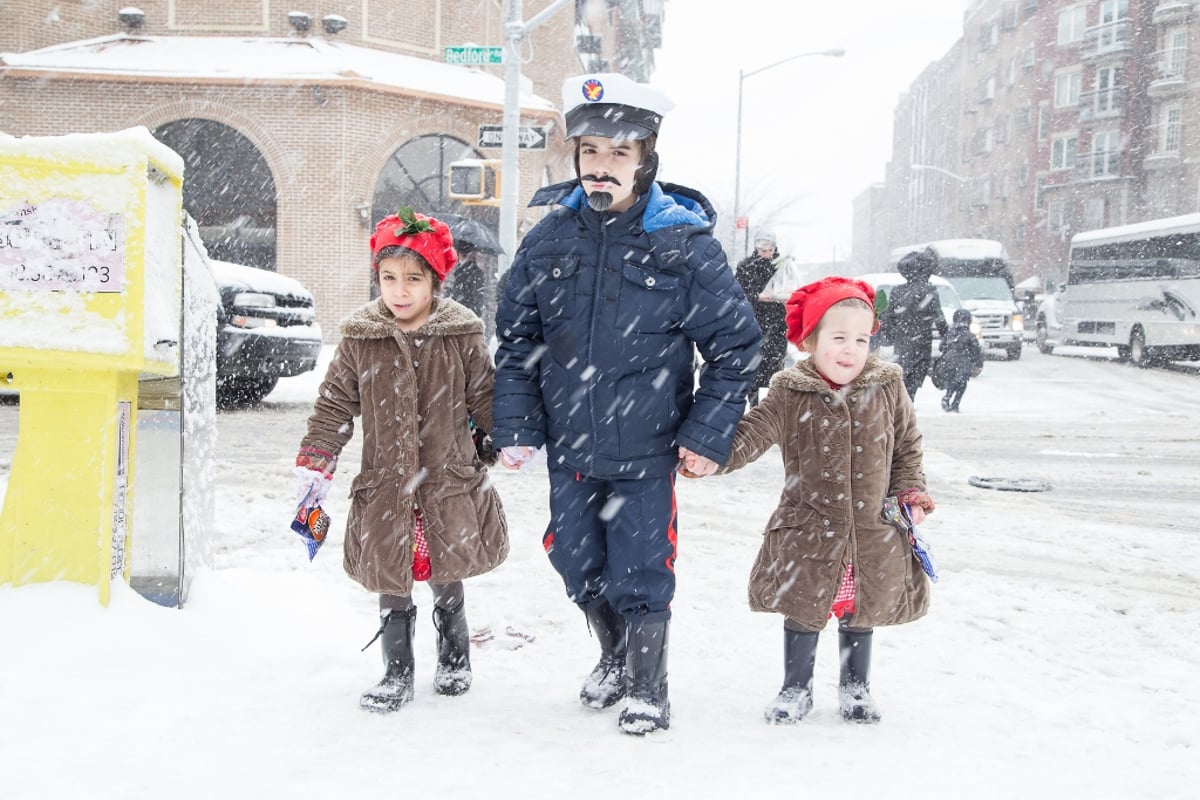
<point>605,304</point>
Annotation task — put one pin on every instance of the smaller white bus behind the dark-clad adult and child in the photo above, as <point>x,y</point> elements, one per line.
<point>980,273</point>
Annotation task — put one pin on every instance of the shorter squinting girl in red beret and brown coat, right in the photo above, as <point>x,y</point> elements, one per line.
<point>847,431</point>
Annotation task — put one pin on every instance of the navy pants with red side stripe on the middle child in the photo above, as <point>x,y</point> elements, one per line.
<point>615,538</point>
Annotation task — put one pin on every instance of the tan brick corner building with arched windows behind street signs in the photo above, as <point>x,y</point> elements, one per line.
<point>301,130</point>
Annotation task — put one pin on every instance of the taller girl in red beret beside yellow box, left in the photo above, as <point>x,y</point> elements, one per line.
<point>416,368</point>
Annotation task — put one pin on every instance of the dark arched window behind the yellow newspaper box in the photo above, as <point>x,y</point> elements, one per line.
<point>229,190</point>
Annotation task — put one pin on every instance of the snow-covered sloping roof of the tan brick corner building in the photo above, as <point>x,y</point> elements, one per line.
<point>209,59</point>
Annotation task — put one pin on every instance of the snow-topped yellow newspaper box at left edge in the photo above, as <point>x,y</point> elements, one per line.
<point>89,299</point>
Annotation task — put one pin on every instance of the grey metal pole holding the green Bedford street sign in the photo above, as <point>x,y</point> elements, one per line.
<point>511,166</point>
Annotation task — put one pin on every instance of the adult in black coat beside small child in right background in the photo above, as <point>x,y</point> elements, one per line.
<point>914,312</point>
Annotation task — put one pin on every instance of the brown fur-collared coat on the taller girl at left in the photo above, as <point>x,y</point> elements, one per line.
<point>415,392</point>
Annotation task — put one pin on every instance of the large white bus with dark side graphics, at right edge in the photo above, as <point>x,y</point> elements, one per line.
<point>1133,287</point>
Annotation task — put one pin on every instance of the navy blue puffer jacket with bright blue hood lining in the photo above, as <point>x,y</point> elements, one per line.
<point>597,328</point>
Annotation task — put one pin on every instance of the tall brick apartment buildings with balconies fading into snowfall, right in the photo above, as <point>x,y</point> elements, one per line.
<point>1049,118</point>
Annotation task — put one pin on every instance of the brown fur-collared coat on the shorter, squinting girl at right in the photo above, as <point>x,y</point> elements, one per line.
<point>844,452</point>
